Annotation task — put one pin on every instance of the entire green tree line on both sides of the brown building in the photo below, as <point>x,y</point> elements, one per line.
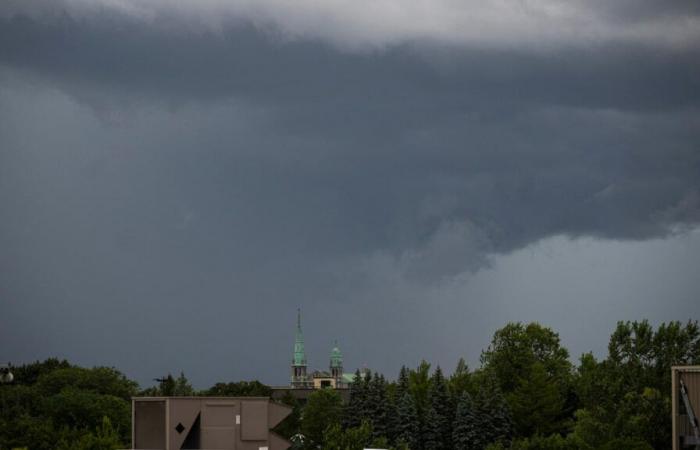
<point>525,394</point>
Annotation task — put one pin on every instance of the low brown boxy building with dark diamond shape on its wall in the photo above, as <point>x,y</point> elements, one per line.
<point>231,423</point>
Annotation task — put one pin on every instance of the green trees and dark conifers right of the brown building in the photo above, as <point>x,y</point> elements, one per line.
<point>526,394</point>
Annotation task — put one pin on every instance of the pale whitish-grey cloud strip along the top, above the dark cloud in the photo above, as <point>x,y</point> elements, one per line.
<point>374,24</point>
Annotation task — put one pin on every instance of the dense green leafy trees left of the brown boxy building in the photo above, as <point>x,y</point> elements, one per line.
<point>54,405</point>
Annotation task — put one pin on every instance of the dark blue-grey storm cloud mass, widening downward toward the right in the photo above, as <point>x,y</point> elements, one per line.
<point>431,111</point>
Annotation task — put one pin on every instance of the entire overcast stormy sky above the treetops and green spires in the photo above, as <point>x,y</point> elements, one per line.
<point>178,177</point>
